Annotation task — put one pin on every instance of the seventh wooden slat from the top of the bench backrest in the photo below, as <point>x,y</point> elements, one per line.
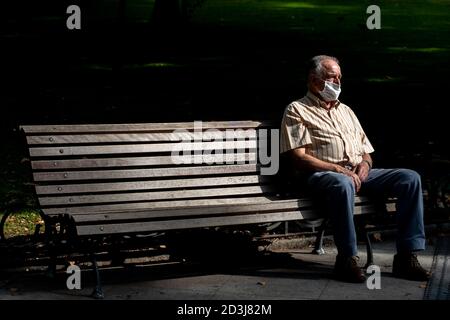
<point>156,195</point>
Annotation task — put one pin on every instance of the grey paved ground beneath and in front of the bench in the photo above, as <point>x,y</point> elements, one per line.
<point>292,274</point>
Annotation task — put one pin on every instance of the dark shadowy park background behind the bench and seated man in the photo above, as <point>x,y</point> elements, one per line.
<point>152,61</point>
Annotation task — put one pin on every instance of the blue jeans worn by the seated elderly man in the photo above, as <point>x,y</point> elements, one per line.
<point>335,194</point>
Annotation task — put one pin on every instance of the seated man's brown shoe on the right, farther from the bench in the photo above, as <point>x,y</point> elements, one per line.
<point>407,266</point>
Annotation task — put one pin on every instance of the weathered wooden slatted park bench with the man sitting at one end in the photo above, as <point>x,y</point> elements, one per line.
<point>105,179</point>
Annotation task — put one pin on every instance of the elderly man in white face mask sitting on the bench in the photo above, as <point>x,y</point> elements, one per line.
<point>330,152</point>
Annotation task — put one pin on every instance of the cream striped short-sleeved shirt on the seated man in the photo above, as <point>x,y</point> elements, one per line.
<point>333,135</point>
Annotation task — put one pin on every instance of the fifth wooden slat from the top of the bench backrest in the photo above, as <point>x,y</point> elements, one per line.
<point>144,173</point>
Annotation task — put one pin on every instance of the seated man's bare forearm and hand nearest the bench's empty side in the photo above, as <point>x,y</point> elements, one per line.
<point>306,161</point>
